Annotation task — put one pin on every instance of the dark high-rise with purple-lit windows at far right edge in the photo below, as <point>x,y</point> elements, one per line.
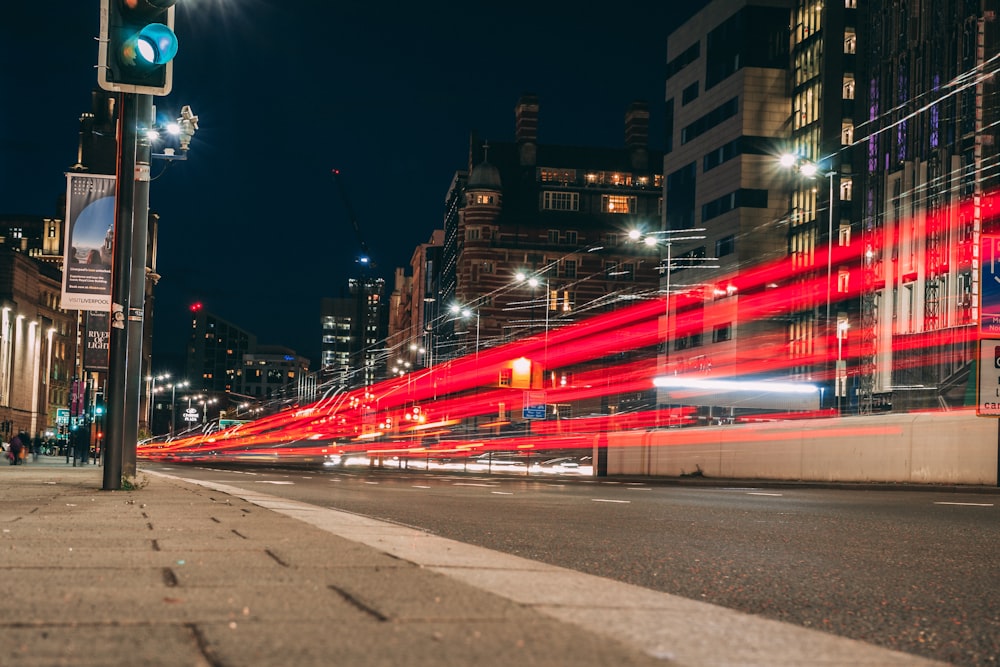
<point>927,117</point>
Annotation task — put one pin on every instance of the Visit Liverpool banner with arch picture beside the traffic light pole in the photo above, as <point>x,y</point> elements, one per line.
<point>90,222</point>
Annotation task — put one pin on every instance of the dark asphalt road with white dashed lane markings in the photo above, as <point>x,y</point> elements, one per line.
<point>914,571</point>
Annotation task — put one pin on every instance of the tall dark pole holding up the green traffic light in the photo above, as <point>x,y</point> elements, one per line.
<point>128,282</point>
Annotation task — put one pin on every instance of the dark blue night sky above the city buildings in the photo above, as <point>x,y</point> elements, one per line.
<point>252,224</point>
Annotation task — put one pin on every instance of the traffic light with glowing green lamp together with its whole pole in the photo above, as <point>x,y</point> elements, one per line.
<point>135,58</point>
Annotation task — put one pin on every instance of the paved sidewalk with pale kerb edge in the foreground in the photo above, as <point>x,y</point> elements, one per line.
<point>177,573</point>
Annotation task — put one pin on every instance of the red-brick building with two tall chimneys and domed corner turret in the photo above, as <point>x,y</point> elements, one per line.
<point>558,214</point>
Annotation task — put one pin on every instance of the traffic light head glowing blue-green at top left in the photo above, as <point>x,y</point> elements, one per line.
<point>137,46</point>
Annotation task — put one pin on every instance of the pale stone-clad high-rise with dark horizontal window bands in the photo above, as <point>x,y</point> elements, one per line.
<point>728,104</point>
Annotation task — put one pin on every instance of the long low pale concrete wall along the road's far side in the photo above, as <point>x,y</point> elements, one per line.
<point>923,448</point>
